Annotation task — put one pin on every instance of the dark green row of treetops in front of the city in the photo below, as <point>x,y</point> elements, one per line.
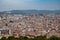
<point>35,38</point>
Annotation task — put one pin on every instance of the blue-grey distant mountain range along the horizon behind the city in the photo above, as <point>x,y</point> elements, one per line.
<point>31,12</point>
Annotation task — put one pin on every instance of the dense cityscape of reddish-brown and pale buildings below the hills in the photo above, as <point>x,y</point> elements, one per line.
<point>29,25</point>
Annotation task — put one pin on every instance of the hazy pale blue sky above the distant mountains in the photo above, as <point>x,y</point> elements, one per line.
<point>29,4</point>
